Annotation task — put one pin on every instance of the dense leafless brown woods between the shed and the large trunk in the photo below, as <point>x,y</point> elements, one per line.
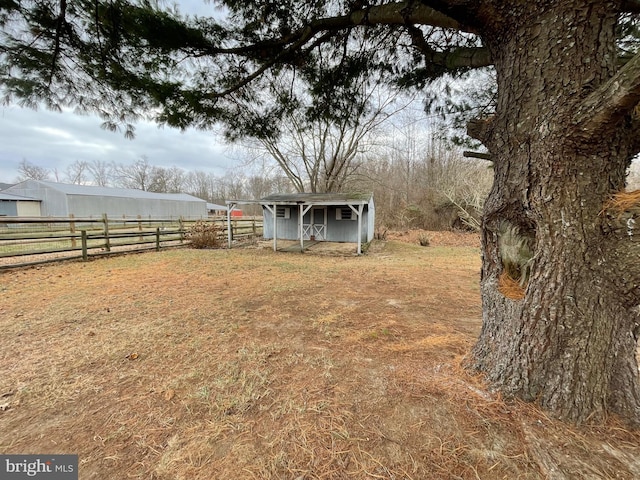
<point>422,180</point>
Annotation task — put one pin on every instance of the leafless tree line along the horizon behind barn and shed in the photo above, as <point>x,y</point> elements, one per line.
<point>418,181</point>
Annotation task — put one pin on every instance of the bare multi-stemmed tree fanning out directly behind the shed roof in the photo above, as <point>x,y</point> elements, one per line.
<point>322,153</point>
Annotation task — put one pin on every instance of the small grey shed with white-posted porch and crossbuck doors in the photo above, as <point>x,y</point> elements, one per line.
<point>333,217</point>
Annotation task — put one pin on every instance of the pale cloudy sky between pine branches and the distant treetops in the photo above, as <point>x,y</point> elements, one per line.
<point>55,140</point>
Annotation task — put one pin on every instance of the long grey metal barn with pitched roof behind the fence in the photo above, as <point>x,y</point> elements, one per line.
<point>63,200</point>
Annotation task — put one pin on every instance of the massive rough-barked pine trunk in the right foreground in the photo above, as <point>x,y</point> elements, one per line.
<point>569,342</point>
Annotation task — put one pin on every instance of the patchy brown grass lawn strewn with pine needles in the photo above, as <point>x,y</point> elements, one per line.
<point>250,364</point>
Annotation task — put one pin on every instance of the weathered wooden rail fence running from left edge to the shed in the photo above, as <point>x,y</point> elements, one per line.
<point>33,240</point>
